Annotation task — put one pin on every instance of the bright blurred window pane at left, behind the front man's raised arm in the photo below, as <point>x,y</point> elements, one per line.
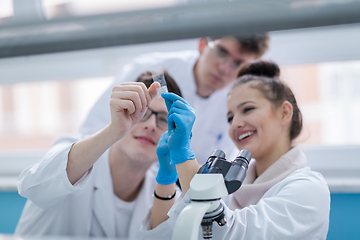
<point>35,114</point>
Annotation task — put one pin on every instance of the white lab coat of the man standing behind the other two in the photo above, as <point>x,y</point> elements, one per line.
<point>210,130</point>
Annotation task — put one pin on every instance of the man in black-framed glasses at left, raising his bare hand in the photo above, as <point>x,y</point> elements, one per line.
<point>101,185</point>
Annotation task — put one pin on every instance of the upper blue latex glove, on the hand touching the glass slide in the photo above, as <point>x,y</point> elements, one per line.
<point>181,118</point>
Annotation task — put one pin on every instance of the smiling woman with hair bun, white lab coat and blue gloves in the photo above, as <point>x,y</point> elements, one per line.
<point>280,198</point>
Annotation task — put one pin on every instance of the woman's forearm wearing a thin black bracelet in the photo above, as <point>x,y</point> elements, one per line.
<point>161,207</point>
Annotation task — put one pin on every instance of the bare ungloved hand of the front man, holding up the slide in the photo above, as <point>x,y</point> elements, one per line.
<point>133,96</point>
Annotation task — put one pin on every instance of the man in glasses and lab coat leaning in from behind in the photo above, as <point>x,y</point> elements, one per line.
<point>204,77</point>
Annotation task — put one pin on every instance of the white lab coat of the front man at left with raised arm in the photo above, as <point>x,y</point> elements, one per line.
<point>56,207</point>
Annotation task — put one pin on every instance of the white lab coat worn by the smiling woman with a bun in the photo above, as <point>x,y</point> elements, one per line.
<point>295,208</point>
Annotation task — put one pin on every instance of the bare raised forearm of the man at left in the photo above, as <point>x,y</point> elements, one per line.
<point>86,152</point>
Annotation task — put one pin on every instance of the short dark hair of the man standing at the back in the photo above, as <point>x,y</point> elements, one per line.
<point>256,44</point>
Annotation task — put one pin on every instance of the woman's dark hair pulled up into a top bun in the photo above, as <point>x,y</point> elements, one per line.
<point>265,76</point>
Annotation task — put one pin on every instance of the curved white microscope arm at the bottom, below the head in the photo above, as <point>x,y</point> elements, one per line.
<point>194,211</point>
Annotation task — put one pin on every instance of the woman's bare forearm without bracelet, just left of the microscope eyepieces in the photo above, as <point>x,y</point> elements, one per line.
<point>186,171</point>
